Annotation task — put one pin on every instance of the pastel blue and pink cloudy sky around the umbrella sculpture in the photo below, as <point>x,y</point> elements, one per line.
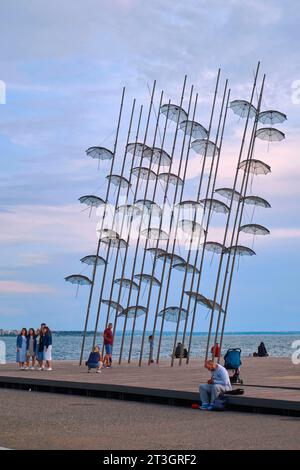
<point>64,64</point>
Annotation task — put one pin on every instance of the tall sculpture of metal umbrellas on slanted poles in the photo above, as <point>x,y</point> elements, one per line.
<point>129,172</point>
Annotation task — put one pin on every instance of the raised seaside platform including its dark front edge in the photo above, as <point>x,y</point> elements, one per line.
<point>272,385</point>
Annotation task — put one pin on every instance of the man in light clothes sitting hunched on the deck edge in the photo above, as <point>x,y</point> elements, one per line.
<point>218,384</point>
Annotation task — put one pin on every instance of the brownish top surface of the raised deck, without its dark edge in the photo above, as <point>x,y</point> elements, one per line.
<point>266,372</point>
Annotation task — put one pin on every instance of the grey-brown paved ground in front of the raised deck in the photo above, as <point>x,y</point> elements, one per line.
<point>70,422</point>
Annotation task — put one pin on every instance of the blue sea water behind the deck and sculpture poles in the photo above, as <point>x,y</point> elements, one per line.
<point>66,345</point>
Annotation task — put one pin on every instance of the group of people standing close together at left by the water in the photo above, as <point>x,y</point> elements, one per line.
<point>35,346</point>
